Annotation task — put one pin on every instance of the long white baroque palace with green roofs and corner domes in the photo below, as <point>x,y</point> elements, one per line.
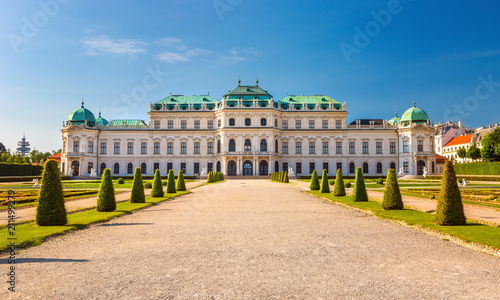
<point>248,133</point>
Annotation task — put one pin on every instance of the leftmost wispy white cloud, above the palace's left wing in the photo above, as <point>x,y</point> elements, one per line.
<point>120,46</point>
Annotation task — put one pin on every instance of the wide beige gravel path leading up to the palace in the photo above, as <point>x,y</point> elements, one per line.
<point>252,239</point>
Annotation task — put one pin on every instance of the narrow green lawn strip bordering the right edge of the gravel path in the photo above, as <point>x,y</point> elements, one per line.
<point>473,232</point>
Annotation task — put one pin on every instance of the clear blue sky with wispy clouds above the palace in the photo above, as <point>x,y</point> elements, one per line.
<point>124,54</point>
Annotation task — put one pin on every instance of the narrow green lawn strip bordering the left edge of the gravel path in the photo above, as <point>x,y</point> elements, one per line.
<point>31,234</point>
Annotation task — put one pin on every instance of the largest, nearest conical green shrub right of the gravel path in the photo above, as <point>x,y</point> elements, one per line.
<point>450,210</point>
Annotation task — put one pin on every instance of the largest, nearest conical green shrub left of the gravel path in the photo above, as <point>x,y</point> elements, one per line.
<point>50,210</point>
